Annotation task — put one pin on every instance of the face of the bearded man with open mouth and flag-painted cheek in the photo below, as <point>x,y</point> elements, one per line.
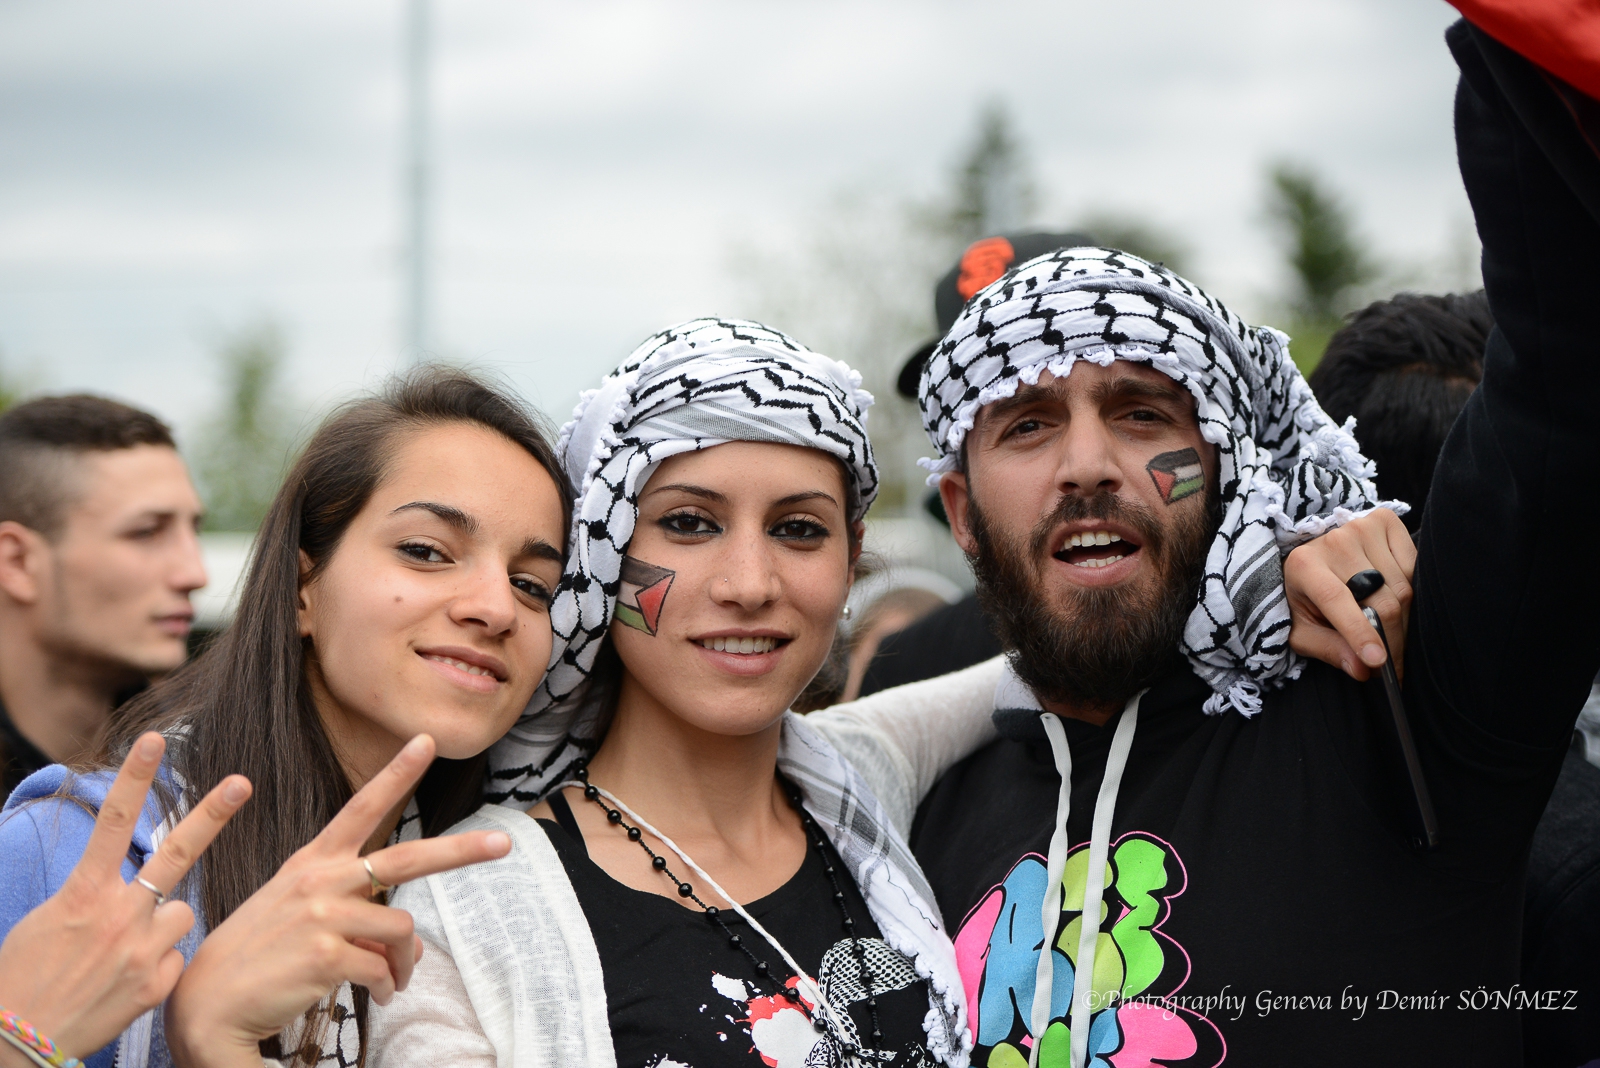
<point>1087,512</point>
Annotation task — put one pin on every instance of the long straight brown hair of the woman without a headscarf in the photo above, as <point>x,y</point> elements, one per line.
<point>244,704</point>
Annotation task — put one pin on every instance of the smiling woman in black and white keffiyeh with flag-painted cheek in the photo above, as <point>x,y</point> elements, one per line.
<point>722,477</point>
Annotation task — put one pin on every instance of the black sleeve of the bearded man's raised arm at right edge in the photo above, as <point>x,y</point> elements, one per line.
<point>1506,623</point>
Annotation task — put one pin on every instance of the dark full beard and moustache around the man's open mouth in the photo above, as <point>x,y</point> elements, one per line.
<point>1105,644</point>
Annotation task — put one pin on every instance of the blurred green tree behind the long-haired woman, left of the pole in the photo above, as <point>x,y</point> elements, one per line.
<point>246,447</point>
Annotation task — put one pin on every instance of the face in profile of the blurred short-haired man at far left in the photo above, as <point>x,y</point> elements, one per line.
<point>116,592</point>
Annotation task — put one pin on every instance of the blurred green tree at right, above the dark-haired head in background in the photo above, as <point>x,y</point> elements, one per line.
<point>1327,261</point>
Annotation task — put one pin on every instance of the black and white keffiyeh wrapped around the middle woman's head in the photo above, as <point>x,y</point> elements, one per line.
<point>694,386</point>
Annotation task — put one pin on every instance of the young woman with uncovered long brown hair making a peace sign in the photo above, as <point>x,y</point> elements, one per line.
<point>396,605</point>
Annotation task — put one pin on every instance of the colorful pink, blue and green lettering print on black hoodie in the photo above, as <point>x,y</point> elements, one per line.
<point>1137,966</point>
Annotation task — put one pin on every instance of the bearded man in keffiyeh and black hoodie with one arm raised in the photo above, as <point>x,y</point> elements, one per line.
<point>1190,847</point>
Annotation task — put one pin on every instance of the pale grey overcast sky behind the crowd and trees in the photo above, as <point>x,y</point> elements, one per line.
<point>175,170</point>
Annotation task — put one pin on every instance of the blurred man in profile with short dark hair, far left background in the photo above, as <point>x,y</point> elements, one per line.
<point>98,557</point>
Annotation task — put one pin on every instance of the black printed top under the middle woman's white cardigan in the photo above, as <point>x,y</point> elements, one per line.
<point>679,995</point>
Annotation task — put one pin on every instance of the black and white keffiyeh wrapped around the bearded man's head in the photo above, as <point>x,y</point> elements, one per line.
<point>1287,471</point>
